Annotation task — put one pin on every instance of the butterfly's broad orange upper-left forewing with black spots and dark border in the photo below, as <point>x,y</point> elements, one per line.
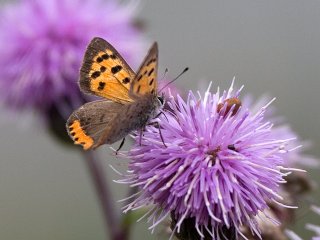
<point>105,73</point>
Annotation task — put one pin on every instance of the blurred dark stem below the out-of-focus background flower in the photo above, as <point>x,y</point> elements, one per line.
<point>112,219</point>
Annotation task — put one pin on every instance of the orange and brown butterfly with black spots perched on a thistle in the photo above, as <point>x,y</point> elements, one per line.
<point>131,100</point>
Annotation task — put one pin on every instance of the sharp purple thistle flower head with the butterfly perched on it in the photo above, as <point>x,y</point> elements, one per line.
<point>219,165</point>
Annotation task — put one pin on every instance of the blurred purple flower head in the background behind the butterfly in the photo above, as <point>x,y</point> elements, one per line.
<point>42,45</point>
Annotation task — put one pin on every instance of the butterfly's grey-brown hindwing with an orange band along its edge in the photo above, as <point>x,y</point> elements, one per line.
<point>89,124</point>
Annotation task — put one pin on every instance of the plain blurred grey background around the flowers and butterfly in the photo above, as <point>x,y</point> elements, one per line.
<point>270,46</point>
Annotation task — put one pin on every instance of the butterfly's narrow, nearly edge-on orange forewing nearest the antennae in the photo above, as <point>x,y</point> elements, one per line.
<point>145,81</point>
